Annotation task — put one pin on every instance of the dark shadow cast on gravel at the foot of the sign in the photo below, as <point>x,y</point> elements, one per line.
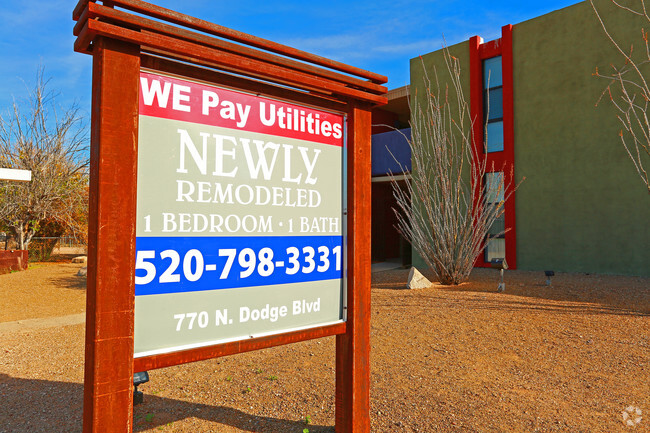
<point>34,406</point>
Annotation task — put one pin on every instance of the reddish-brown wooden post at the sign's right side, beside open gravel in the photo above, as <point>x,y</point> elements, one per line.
<point>353,347</point>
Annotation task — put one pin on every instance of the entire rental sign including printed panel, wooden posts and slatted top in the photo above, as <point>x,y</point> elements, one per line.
<point>220,221</point>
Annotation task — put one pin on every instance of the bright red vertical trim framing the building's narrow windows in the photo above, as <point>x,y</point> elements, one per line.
<point>496,161</point>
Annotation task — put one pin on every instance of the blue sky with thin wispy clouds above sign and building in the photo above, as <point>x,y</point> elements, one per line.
<point>378,35</point>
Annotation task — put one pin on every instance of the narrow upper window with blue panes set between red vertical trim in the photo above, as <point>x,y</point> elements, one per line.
<point>493,103</point>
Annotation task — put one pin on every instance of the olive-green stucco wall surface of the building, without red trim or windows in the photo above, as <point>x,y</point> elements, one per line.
<point>582,207</point>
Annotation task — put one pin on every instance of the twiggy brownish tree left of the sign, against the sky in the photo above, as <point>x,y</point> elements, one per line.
<point>54,147</point>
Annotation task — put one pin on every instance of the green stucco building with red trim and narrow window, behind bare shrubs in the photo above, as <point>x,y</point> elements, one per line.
<point>582,206</point>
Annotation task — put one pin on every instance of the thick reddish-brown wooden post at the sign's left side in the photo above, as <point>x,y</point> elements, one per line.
<point>108,392</point>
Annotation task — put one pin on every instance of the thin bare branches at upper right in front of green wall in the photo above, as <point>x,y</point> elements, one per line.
<point>628,90</point>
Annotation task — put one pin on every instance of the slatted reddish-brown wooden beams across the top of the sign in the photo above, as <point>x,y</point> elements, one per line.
<point>169,34</point>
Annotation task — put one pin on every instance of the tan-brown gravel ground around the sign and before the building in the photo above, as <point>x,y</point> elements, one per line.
<point>566,358</point>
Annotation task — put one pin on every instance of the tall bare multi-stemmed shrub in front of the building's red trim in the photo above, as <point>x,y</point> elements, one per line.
<point>444,211</point>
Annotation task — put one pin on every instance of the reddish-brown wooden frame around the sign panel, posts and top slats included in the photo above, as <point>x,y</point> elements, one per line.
<point>124,36</point>
